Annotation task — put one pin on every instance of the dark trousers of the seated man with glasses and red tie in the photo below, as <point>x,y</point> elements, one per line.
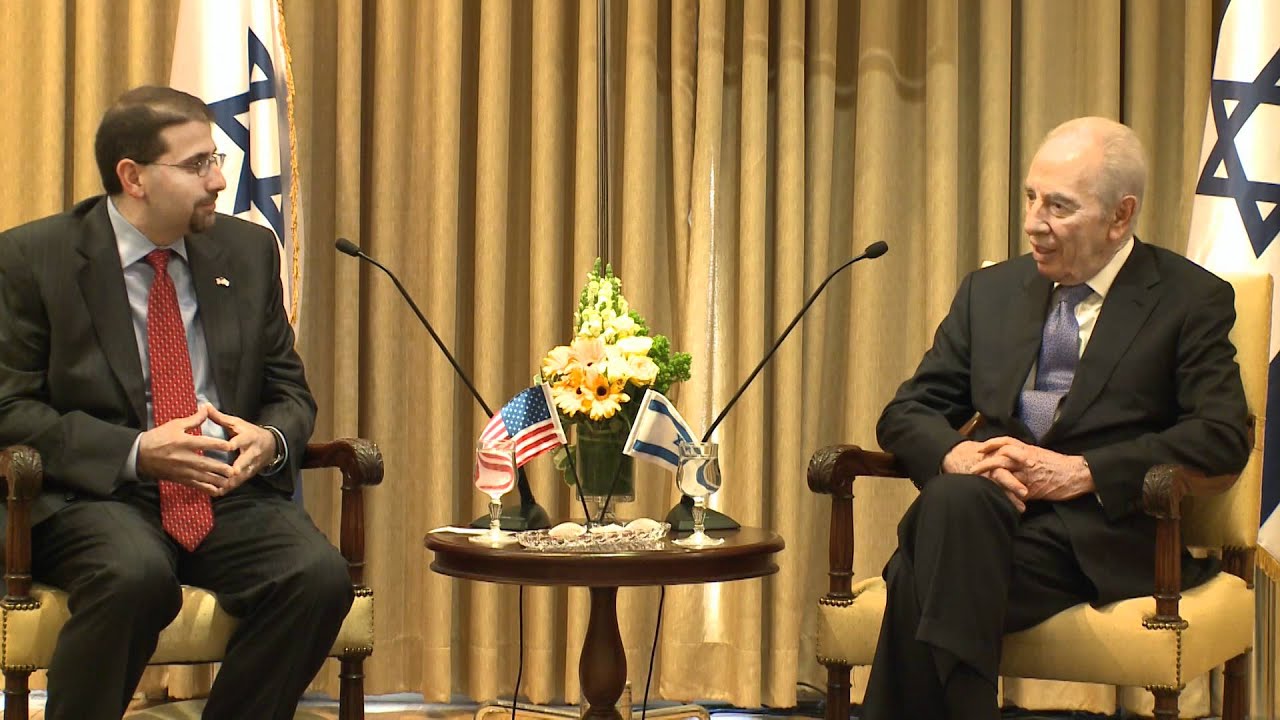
<point>266,560</point>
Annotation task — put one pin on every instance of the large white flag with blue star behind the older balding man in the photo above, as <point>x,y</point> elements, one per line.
<point>1236,220</point>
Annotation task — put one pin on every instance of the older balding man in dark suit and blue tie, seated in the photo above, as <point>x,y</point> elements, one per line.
<point>1091,359</point>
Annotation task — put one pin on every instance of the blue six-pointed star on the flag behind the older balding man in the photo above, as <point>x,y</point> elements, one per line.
<point>1247,194</point>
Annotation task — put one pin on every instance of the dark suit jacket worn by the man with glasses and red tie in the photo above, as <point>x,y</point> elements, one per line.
<point>71,382</point>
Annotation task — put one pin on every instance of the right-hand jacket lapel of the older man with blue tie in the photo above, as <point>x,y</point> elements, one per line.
<point>1130,302</point>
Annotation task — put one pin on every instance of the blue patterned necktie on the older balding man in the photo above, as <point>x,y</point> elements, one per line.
<point>1060,352</point>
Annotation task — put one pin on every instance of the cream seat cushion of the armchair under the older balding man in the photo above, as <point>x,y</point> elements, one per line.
<point>1107,645</point>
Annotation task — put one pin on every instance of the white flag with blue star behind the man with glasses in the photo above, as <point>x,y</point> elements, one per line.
<point>234,56</point>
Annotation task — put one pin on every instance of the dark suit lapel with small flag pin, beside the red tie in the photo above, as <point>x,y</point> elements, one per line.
<point>213,276</point>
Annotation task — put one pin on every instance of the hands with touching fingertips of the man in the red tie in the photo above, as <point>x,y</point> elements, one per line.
<point>172,454</point>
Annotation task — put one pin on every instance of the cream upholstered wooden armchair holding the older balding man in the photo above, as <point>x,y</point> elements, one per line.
<point>1160,641</point>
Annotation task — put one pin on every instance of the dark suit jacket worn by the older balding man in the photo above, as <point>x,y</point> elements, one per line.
<point>1158,384</point>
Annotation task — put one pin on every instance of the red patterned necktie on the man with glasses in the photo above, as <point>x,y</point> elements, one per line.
<point>185,512</point>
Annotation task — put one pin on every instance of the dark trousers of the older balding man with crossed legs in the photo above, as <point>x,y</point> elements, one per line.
<point>970,568</point>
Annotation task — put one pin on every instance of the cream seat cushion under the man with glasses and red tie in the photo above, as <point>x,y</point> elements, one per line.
<point>198,635</point>
